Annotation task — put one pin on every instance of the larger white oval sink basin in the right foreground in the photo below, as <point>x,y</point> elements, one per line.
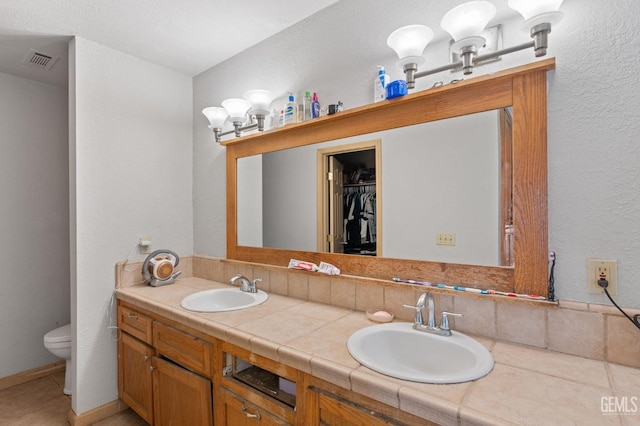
<point>399,351</point>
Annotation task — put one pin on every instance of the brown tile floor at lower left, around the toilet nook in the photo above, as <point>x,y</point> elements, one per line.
<point>42,403</point>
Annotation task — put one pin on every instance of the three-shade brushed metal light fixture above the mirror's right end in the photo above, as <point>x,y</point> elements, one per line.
<point>465,23</point>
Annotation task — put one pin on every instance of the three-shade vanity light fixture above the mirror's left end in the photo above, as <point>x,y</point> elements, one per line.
<point>240,111</point>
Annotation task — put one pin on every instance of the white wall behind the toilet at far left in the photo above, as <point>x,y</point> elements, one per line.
<point>34,220</point>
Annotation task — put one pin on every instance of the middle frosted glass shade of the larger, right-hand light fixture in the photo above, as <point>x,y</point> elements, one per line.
<point>468,19</point>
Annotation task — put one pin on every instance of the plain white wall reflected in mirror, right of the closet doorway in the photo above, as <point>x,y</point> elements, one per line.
<point>443,178</point>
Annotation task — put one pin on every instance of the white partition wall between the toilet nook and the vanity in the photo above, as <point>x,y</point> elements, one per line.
<point>131,171</point>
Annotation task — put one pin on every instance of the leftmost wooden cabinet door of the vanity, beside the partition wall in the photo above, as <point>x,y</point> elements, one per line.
<point>134,375</point>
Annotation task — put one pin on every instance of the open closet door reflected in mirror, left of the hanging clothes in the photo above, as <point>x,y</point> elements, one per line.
<point>336,206</point>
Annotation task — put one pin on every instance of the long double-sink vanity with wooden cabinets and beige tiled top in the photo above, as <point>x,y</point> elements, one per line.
<point>230,367</point>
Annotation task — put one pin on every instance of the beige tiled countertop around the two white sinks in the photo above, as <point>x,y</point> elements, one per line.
<point>527,386</point>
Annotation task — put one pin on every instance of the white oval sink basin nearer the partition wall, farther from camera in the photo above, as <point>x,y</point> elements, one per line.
<point>223,299</point>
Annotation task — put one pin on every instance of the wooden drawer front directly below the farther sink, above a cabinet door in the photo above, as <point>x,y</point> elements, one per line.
<point>189,351</point>
